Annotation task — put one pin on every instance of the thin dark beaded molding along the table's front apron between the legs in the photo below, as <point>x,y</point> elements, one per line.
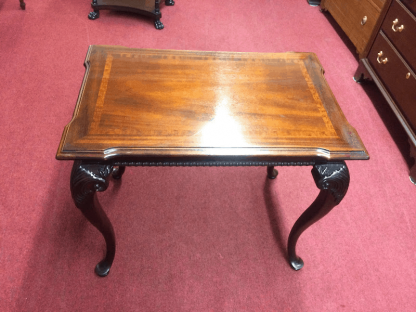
<point>212,163</point>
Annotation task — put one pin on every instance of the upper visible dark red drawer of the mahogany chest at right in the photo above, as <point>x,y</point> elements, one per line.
<point>405,40</point>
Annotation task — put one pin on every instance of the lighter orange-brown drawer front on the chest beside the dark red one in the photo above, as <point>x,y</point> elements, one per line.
<point>351,14</point>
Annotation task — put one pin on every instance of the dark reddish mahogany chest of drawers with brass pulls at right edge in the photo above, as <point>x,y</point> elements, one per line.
<point>390,61</point>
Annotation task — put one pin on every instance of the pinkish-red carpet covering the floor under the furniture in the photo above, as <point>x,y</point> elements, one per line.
<point>193,239</point>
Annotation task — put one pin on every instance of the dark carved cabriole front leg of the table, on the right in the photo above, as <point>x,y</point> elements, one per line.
<point>333,180</point>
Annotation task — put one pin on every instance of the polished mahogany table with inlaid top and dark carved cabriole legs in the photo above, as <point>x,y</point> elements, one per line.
<point>188,108</point>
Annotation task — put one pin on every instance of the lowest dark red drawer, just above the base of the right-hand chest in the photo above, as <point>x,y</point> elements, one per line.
<point>394,74</point>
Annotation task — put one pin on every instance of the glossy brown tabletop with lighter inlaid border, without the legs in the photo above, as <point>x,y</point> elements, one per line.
<point>194,100</point>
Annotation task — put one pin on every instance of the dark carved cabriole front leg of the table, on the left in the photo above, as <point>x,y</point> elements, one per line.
<point>86,180</point>
